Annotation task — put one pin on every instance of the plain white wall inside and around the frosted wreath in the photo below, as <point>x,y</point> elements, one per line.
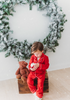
<point>33,26</point>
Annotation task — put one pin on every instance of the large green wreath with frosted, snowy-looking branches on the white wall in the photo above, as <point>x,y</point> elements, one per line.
<point>22,50</point>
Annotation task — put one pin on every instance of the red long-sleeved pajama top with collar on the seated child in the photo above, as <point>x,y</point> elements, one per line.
<point>43,64</point>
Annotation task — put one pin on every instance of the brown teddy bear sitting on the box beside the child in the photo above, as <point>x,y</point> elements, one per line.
<point>22,71</point>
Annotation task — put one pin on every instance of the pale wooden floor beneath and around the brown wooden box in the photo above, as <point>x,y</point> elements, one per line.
<point>59,87</point>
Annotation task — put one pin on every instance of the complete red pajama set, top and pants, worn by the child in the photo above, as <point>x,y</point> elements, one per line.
<point>39,73</point>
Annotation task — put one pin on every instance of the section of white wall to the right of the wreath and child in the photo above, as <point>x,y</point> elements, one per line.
<point>61,59</point>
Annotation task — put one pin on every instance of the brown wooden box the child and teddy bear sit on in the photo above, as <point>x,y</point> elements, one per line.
<point>23,87</point>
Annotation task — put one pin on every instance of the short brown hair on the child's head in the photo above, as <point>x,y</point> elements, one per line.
<point>37,46</point>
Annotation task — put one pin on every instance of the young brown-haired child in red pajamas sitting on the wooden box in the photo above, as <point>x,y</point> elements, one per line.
<point>38,64</point>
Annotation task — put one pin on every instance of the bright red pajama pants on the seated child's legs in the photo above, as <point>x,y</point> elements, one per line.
<point>40,84</point>
